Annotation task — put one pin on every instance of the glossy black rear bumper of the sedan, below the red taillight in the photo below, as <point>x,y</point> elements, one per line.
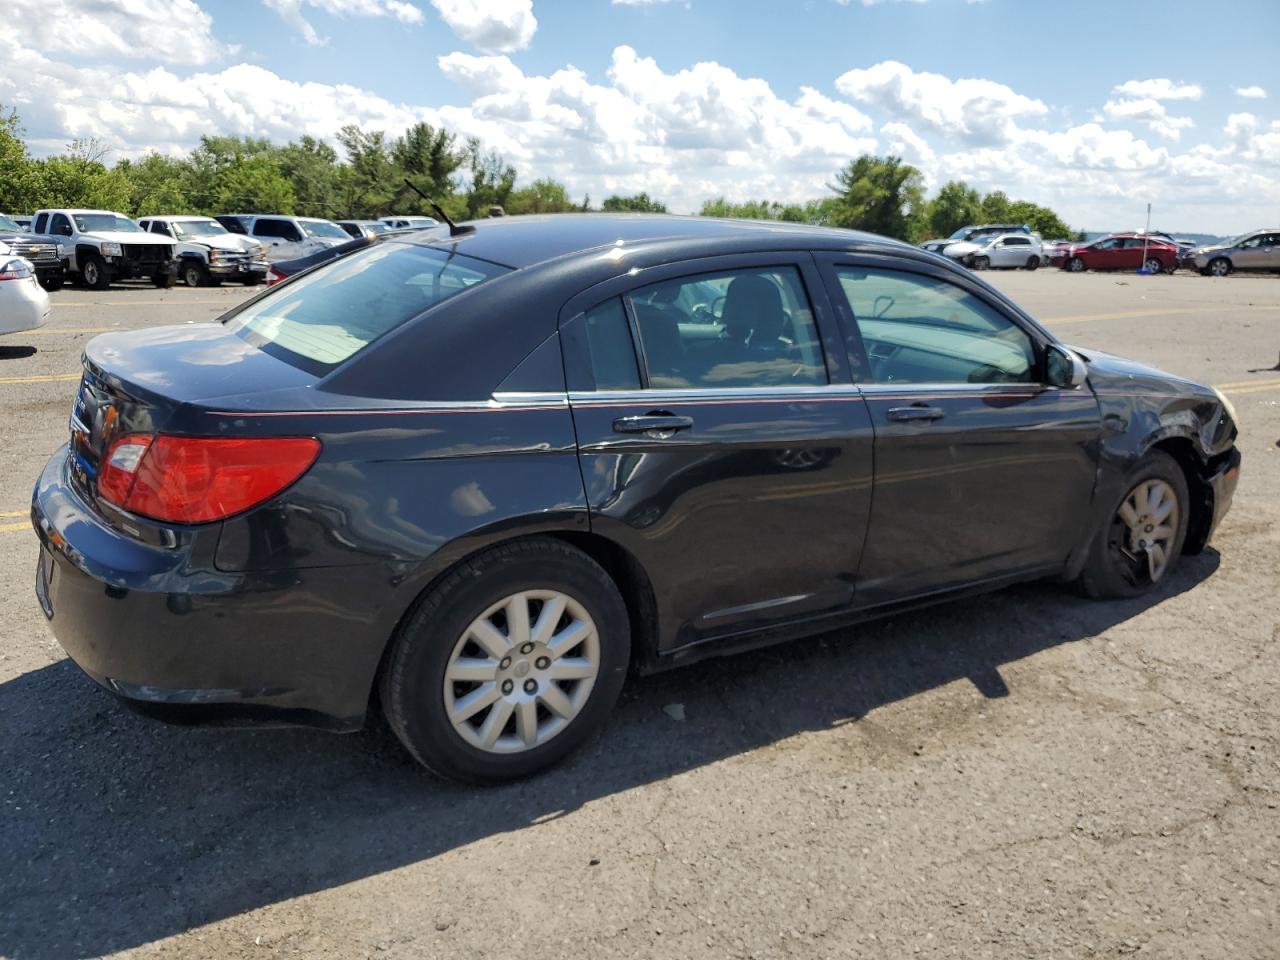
<point>171,633</point>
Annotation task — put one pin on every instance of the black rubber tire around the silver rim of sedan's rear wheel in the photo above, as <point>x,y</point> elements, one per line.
<point>413,679</point>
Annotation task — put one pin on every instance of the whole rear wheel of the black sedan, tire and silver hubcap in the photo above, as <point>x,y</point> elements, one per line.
<point>509,664</point>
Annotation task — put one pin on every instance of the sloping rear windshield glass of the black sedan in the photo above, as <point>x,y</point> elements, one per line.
<point>330,314</point>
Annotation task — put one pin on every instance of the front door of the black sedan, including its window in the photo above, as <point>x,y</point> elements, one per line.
<point>982,470</point>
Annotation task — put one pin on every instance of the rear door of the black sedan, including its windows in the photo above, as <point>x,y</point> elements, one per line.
<point>721,440</point>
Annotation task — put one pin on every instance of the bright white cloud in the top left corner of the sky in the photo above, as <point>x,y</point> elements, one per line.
<point>171,31</point>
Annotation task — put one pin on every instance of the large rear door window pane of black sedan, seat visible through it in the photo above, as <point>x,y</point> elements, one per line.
<point>738,328</point>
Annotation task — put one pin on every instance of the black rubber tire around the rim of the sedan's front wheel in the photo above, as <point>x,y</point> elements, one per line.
<point>1110,572</point>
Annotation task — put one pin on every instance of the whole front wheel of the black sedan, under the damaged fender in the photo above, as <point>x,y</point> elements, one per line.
<point>1145,533</point>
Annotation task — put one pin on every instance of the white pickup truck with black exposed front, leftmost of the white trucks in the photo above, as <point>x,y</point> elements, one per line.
<point>102,246</point>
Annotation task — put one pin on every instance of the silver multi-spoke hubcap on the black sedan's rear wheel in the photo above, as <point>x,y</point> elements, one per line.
<point>522,673</point>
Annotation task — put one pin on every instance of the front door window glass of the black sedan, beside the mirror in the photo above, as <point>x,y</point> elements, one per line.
<point>917,330</point>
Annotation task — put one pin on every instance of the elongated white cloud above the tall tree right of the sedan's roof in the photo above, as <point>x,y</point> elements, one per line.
<point>977,112</point>
